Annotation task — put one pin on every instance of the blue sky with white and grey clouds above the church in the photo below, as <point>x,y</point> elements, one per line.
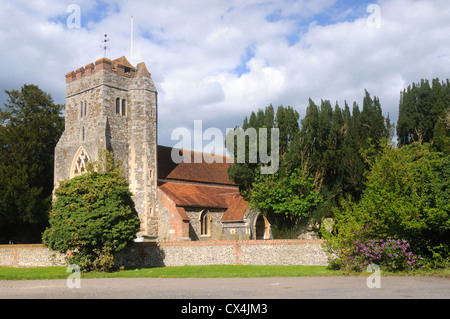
<point>219,60</point>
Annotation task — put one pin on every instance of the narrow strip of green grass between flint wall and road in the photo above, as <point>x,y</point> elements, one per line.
<point>215,271</point>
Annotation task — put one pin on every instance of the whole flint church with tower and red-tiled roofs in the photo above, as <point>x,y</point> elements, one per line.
<point>113,105</point>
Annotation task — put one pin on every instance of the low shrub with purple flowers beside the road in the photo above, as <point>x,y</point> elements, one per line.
<point>389,254</point>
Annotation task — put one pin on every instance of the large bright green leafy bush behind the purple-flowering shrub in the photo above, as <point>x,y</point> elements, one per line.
<point>407,197</point>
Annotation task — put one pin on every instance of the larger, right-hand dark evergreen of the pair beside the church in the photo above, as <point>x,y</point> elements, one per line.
<point>333,141</point>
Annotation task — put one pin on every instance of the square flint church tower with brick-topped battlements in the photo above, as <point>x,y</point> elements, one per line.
<point>112,105</point>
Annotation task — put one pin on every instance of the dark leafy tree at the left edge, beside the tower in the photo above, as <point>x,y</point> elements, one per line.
<point>30,126</point>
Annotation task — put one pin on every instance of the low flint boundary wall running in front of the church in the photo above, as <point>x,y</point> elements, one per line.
<point>243,252</point>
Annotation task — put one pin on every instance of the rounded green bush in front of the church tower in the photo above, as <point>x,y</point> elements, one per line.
<point>93,216</point>
